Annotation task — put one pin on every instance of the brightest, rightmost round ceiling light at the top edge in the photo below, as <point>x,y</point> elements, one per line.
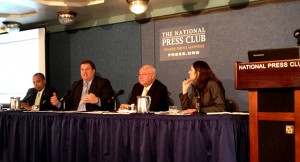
<point>138,6</point>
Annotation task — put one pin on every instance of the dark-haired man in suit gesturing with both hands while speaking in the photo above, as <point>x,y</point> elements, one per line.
<point>91,93</point>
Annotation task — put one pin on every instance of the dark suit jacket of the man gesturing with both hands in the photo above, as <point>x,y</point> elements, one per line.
<point>101,87</point>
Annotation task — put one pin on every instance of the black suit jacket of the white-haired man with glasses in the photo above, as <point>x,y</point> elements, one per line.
<point>158,93</point>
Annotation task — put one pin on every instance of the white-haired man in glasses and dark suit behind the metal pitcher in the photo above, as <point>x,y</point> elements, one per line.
<point>150,86</point>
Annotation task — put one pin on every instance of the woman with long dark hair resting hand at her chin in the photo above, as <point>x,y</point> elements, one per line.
<point>206,89</point>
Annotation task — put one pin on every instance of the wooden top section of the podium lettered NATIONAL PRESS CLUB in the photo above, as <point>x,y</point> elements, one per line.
<point>269,74</point>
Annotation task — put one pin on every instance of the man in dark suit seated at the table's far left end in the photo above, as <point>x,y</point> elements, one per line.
<point>39,96</point>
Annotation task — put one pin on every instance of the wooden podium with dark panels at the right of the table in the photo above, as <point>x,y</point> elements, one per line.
<point>274,108</point>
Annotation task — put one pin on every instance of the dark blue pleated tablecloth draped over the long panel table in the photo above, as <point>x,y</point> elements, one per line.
<point>81,137</point>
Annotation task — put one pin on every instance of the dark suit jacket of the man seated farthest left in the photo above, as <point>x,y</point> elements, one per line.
<point>45,103</point>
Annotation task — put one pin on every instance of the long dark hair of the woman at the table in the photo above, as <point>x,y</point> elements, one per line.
<point>206,74</point>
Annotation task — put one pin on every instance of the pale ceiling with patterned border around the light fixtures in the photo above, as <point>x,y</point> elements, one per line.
<point>32,14</point>
